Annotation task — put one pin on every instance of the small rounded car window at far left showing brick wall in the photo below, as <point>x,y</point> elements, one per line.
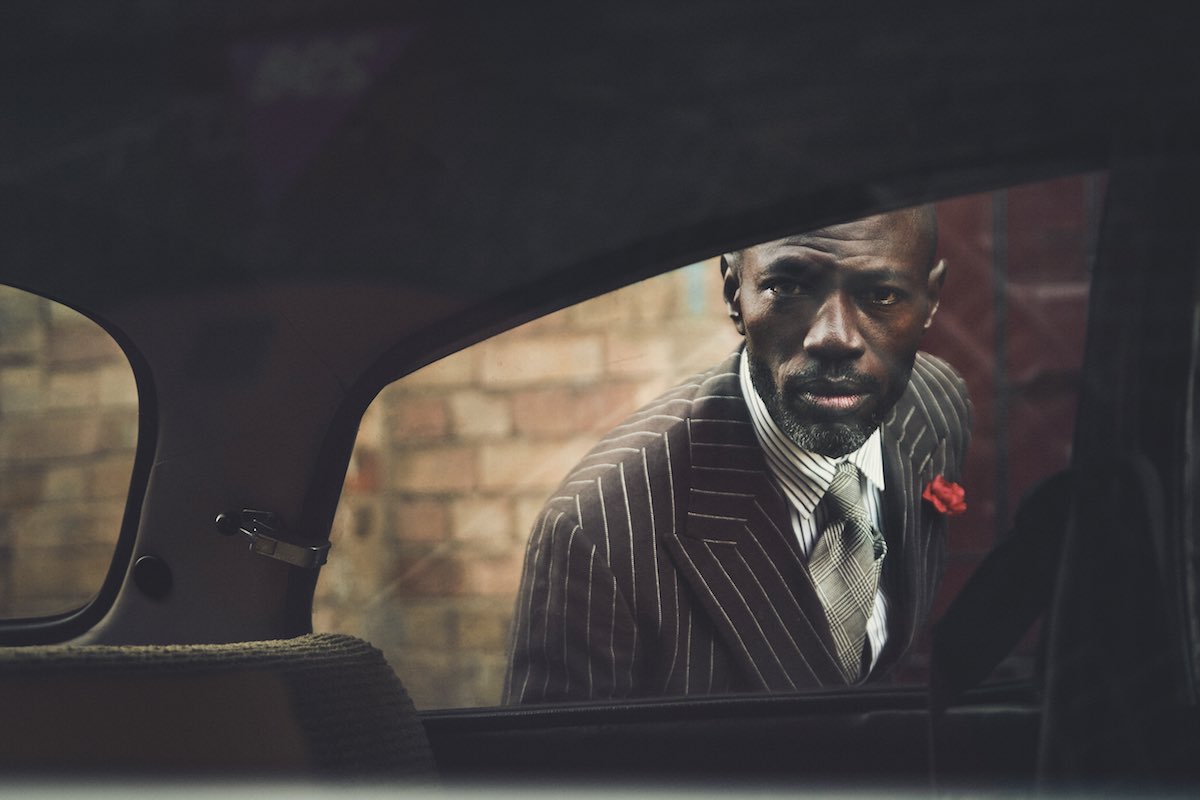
<point>69,423</point>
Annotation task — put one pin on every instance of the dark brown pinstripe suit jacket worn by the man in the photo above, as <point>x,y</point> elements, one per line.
<point>665,564</point>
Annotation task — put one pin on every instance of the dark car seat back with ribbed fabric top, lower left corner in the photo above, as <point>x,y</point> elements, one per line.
<point>314,706</point>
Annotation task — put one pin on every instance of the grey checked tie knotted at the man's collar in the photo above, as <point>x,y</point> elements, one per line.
<point>845,569</point>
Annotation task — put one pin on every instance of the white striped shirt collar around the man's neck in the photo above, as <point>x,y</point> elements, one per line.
<point>803,476</point>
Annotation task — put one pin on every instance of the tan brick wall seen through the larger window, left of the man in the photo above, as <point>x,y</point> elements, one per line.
<point>454,462</point>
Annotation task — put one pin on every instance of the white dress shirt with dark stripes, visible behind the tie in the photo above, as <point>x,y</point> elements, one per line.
<point>805,478</point>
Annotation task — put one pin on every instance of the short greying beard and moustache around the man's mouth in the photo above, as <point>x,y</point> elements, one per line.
<point>830,434</point>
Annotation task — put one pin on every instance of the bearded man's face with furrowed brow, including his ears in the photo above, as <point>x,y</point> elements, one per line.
<point>832,322</point>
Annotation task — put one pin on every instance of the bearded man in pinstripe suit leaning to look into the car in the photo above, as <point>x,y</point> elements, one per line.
<point>761,527</point>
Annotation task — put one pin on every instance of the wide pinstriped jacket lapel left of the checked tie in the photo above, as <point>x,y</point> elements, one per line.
<point>737,551</point>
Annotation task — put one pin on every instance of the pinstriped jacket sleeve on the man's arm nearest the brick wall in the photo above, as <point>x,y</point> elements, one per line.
<point>573,635</point>
